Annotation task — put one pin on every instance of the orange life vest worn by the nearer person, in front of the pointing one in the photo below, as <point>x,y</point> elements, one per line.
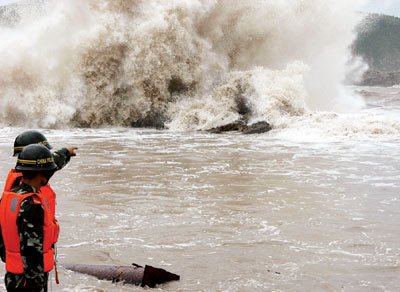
<point>9,210</point>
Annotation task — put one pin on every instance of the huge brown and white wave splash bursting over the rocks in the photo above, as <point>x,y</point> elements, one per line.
<point>187,65</point>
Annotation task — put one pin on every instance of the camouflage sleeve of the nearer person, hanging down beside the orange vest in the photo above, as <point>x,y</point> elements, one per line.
<point>30,228</point>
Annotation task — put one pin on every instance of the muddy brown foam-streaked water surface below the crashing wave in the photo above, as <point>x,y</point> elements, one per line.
<point>232,212</point>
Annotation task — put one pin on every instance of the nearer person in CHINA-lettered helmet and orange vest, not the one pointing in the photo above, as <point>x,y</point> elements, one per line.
<point>28,226</point>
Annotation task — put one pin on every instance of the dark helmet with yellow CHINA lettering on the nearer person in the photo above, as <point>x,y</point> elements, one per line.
<point>35,157</point>
